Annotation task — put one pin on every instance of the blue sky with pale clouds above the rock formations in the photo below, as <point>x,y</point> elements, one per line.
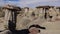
<point>30,3</point>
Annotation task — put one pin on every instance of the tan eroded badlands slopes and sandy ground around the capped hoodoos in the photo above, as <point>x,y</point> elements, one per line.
<point>35,16</point>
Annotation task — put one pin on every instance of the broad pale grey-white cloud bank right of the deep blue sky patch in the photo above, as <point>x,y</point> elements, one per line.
<point>34,3</point>
